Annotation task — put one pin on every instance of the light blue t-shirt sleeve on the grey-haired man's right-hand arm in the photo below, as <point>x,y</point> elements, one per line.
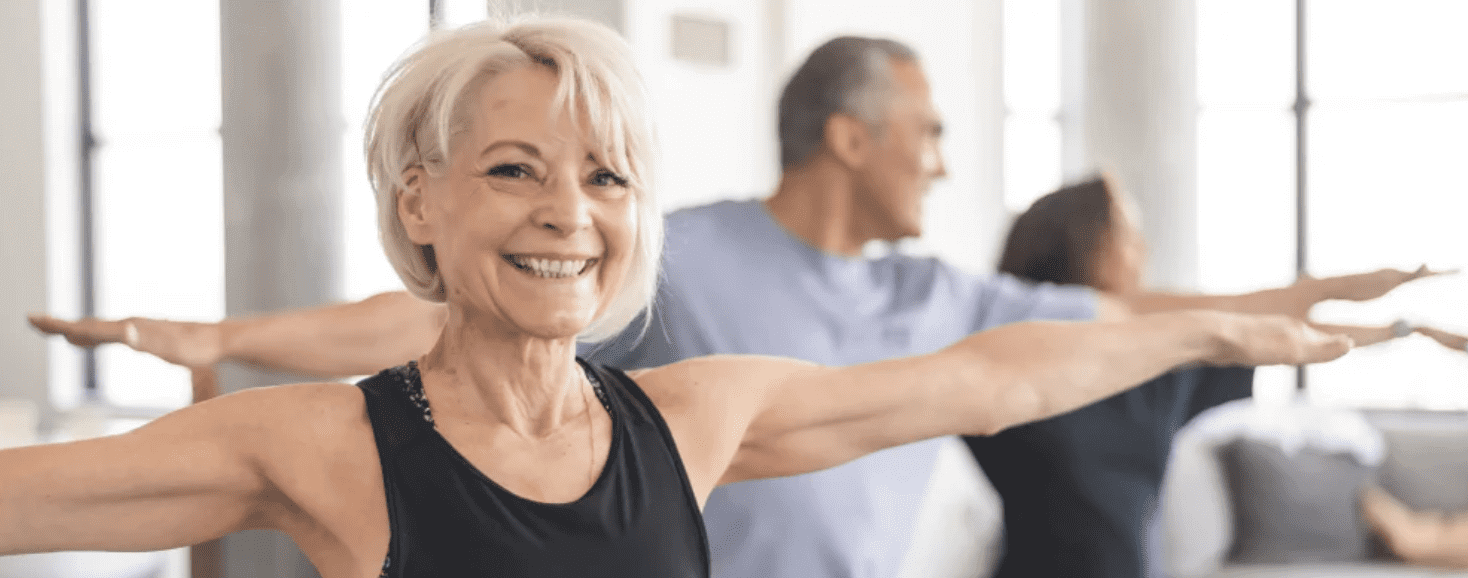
<point>1006,300</point>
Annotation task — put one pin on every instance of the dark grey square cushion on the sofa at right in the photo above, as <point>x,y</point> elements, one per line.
<point>1296,508</point>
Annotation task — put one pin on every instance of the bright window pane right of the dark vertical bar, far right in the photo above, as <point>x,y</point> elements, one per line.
<point>1387,137</point>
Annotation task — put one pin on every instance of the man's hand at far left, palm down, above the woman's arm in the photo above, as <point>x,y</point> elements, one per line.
<point>195,345</point>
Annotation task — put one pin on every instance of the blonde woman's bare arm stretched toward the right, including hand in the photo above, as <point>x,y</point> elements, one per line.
<point>767,417</point>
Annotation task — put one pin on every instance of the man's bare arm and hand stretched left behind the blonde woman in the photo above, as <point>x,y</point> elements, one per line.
<point>333,341</point>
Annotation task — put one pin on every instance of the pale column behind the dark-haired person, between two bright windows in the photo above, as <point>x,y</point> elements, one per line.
<point>1140,121</point>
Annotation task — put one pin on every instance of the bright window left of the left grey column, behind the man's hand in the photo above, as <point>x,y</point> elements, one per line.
<point>156,183</point>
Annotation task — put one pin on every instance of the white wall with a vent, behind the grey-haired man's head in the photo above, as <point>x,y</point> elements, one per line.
<point>719,125</point>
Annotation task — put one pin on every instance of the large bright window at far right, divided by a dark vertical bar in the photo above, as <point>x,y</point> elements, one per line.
<point>1366,136</point>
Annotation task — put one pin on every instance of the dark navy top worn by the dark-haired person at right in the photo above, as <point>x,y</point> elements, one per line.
<point>1078,488</point>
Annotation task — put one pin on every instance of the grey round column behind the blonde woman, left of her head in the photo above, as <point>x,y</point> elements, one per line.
<point>283,128</point>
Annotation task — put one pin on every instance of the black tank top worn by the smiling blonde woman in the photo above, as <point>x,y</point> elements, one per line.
<point>450,520</point>
